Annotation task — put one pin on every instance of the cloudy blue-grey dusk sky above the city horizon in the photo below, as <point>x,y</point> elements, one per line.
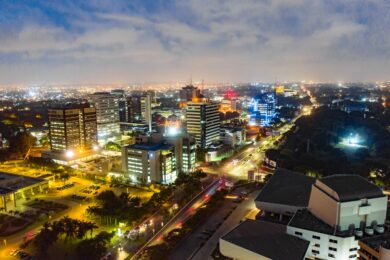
<point>160,41</point>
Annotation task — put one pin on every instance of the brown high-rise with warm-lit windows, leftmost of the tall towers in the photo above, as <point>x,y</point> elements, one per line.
<point>72,128</point>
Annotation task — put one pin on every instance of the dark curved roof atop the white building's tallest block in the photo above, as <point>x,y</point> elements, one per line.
<point>351,187</point>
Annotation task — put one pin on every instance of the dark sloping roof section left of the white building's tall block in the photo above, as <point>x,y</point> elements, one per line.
<point>287,188</point>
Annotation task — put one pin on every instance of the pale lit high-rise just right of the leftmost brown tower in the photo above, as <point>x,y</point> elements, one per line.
<point>107,114</point>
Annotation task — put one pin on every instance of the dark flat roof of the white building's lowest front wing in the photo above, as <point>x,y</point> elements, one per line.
<point>267,239</point>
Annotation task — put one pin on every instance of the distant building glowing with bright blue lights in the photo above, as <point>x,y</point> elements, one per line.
<point>263,110</point>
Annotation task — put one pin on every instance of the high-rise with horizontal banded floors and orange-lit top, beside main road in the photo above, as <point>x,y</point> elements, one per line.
<point>203,122</point>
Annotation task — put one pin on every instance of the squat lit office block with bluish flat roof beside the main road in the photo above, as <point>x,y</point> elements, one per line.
<point>150,162</point>
